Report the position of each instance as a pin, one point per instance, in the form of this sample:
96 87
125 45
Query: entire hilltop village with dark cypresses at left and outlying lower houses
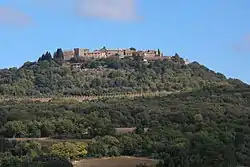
76 57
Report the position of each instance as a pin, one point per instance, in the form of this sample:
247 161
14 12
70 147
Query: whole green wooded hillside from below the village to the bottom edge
205 124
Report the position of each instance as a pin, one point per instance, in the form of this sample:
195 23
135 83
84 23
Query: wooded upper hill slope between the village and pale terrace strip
51 77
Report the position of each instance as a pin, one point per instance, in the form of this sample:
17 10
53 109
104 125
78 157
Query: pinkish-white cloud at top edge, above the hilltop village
107 9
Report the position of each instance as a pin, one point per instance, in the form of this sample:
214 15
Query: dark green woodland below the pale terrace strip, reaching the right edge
207 127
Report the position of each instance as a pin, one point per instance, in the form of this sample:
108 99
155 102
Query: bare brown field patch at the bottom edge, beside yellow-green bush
115 162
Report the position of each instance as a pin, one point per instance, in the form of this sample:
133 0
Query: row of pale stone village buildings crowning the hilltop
104 53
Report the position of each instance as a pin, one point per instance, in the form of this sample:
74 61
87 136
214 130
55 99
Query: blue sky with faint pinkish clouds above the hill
215 33
